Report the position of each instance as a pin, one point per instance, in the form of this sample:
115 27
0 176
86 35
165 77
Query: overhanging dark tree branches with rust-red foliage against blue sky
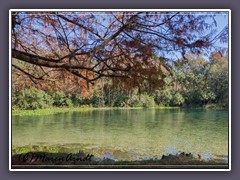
128 47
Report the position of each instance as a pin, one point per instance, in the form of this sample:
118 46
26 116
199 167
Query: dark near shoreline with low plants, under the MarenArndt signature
47 156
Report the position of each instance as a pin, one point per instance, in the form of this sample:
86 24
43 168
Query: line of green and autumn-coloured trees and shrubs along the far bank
202 82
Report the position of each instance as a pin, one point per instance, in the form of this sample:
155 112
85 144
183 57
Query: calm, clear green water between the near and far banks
144 132
